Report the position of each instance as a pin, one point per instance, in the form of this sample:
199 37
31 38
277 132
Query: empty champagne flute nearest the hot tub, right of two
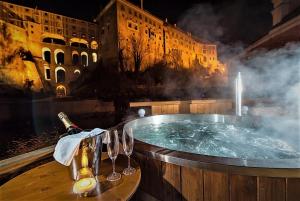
127 140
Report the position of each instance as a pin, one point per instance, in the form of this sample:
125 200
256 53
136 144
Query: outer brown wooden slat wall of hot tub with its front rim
175 175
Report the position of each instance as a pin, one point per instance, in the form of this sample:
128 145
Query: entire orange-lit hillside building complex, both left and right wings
63 47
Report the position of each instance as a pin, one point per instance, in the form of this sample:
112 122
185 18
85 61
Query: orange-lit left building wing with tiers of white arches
61 46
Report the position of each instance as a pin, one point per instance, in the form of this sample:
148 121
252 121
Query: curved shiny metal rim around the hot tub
251 167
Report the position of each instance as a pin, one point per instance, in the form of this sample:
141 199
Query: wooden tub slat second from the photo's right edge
271 189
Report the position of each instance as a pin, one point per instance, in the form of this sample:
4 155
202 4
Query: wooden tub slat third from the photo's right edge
243 188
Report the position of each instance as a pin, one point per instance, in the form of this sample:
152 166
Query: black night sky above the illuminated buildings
227 21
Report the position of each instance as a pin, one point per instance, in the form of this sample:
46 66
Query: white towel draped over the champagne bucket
68 146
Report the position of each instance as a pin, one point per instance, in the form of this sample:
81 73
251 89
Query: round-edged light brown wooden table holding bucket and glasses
51 181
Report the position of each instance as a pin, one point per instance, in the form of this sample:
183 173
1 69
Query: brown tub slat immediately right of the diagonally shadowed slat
192 183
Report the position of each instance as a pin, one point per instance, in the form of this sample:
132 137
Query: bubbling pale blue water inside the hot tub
219 139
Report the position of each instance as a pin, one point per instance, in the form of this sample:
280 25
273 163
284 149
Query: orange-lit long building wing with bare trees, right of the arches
126 29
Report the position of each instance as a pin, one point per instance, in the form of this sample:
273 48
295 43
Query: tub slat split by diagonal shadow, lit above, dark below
171 182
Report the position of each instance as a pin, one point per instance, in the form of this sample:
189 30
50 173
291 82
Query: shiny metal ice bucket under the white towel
93 153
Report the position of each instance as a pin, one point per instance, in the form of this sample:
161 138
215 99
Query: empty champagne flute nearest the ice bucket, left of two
113 151
